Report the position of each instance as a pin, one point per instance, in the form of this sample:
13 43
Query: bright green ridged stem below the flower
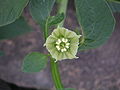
55 74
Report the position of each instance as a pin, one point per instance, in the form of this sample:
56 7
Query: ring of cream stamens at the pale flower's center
62 44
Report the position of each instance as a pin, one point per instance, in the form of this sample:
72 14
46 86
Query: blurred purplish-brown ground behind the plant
96 69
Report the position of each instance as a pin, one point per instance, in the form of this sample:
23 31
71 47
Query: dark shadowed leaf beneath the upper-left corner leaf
19 27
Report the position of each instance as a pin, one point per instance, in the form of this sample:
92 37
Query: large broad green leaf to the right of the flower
96 20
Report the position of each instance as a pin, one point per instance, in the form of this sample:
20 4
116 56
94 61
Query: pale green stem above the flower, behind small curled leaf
62 9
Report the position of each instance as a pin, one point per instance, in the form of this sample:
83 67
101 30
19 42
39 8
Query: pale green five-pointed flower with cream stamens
62 44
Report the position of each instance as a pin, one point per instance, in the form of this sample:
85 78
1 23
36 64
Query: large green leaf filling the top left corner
10 10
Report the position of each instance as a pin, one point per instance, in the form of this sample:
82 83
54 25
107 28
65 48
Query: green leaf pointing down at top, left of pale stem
40 10
